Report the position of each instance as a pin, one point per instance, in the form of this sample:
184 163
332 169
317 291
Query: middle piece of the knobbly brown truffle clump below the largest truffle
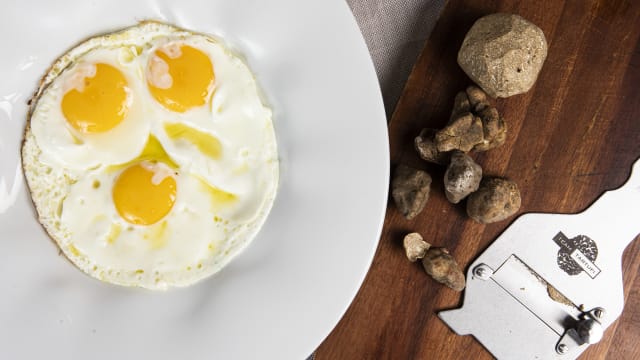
462 133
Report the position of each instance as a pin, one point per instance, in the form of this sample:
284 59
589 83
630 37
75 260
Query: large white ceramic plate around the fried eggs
281 296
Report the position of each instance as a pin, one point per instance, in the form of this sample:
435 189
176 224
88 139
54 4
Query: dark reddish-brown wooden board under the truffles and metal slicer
571 137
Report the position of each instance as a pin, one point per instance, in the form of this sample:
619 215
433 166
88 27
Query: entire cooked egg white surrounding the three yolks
199 235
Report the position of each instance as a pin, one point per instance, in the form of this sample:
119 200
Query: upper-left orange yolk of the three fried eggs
96 103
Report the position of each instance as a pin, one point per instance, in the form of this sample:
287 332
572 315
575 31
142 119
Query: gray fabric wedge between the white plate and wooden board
395 32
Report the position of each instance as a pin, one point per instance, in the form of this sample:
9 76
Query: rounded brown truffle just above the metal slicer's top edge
495 200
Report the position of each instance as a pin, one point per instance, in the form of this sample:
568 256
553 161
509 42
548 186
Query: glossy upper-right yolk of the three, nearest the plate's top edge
180 77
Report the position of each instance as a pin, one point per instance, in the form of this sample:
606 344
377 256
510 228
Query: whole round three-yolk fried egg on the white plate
150 156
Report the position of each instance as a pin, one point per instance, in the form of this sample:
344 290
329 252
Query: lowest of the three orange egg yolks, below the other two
143 196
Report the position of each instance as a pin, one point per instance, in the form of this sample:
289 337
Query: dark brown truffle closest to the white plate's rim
410 190
